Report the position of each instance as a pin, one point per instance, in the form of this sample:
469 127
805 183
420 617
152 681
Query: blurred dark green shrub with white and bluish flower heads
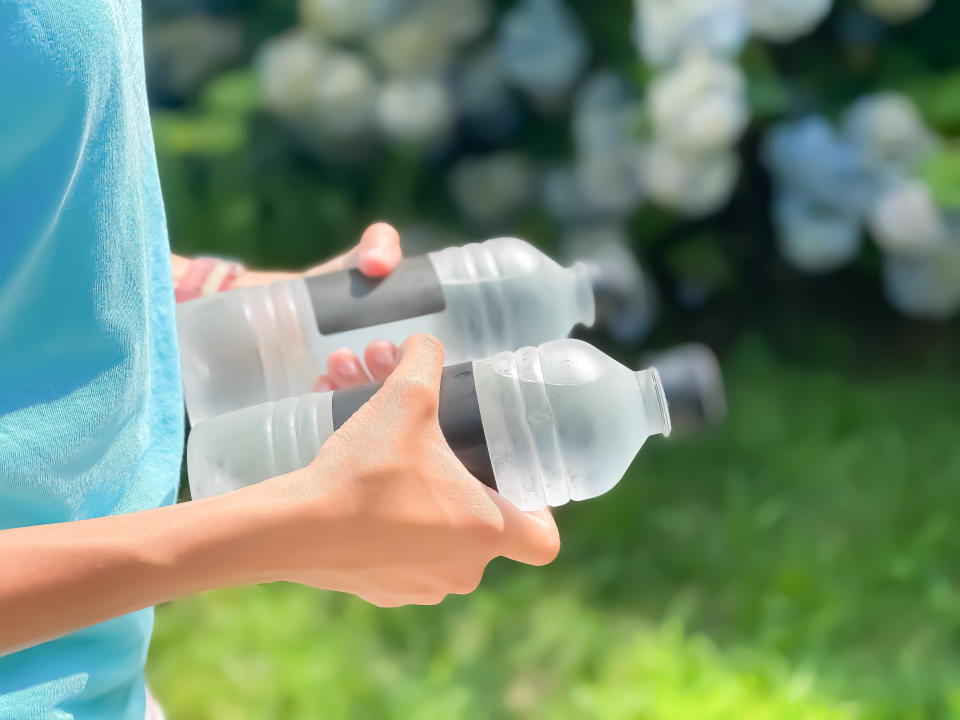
697 142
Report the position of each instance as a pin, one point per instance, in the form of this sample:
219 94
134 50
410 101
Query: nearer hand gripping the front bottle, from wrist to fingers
388 513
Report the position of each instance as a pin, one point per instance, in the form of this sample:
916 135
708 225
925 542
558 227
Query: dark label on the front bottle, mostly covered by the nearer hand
459 414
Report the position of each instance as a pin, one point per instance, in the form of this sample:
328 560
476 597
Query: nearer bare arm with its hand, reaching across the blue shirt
385 511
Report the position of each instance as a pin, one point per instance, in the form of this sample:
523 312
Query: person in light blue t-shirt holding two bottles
91 414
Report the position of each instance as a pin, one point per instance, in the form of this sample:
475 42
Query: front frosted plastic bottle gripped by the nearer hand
542 425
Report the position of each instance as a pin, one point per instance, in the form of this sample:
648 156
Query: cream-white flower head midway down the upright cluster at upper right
700 105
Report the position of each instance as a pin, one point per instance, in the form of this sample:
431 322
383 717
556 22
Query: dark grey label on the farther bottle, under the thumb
348 299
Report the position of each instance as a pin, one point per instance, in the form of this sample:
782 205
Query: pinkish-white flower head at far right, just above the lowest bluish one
905 219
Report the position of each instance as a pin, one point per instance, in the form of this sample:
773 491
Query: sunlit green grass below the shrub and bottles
799 563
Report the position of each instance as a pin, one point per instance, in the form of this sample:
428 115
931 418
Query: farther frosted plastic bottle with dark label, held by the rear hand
250 345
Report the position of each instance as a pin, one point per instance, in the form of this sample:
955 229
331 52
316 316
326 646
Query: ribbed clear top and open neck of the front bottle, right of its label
563 421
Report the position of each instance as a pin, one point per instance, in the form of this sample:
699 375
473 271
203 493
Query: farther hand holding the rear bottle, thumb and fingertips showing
376 255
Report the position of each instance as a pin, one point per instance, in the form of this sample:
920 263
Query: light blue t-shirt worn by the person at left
91 415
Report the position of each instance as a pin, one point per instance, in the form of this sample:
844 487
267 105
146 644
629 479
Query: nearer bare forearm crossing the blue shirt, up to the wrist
61 577
